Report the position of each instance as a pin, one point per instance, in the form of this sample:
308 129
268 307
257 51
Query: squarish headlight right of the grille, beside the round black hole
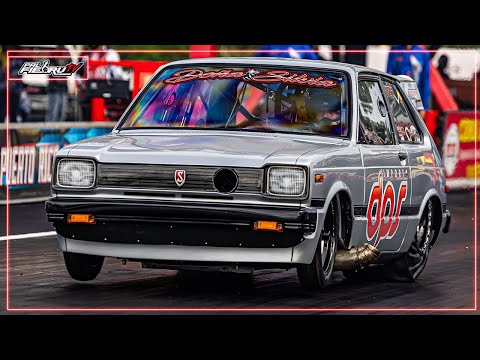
286 181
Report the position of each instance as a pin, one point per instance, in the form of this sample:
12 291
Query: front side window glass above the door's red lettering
374 121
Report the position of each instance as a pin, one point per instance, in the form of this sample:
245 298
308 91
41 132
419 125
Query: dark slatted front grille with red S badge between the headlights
162 177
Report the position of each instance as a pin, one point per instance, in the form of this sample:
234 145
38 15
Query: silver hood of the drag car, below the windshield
208 148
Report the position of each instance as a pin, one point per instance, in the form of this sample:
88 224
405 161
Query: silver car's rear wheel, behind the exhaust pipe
409 267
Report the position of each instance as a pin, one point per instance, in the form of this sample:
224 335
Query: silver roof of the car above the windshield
315 64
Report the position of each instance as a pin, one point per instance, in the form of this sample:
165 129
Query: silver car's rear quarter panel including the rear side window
423 162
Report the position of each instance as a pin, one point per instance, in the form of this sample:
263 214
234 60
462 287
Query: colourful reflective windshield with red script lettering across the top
239 98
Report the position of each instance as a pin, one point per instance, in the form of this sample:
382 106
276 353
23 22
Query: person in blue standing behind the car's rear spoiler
401 61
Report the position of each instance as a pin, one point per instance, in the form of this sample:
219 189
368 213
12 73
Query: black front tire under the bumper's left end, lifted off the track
83 267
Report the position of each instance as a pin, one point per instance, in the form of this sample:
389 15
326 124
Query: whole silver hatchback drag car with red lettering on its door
238 164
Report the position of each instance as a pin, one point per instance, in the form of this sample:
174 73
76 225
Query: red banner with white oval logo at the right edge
459 155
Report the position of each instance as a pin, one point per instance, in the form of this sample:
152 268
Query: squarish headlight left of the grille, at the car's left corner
77 173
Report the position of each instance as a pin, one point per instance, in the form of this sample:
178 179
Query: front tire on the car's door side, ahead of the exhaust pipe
318 273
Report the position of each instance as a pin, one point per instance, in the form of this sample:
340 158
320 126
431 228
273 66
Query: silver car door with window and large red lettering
387 175
